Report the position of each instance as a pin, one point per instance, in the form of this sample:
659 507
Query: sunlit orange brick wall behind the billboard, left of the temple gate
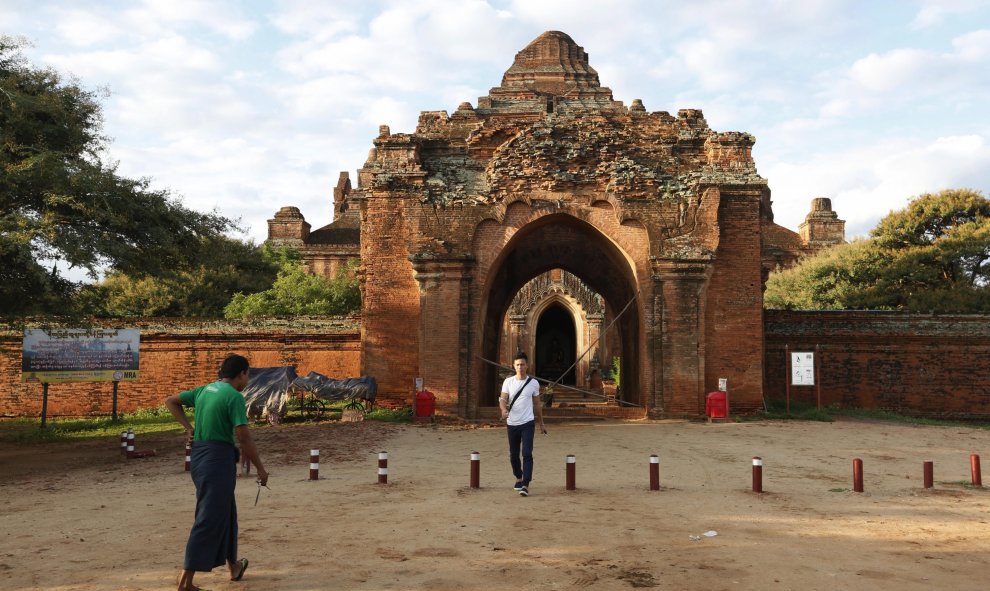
178 355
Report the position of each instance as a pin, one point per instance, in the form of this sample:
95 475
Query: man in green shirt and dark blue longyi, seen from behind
220 416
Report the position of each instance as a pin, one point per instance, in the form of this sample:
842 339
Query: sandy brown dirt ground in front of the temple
77 517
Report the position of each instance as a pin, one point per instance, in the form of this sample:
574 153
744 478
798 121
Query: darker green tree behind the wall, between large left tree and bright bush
221 267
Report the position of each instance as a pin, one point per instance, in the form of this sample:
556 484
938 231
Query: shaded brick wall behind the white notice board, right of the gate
914 364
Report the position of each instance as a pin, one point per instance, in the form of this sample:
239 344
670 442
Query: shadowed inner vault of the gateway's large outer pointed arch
548 240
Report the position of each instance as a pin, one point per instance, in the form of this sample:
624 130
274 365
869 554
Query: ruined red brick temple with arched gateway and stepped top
553 219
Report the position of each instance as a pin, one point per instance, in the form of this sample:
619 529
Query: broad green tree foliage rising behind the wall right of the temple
932 256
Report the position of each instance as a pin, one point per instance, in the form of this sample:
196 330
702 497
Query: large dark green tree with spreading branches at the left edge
62 204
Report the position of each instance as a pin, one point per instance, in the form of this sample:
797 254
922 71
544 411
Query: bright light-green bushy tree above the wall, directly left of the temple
299 293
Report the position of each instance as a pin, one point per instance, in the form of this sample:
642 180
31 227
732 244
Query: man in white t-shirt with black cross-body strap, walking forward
521 408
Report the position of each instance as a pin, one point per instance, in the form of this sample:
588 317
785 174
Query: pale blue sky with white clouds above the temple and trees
249 106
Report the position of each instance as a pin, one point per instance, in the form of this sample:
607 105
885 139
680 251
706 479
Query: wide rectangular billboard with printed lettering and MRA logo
80 355
